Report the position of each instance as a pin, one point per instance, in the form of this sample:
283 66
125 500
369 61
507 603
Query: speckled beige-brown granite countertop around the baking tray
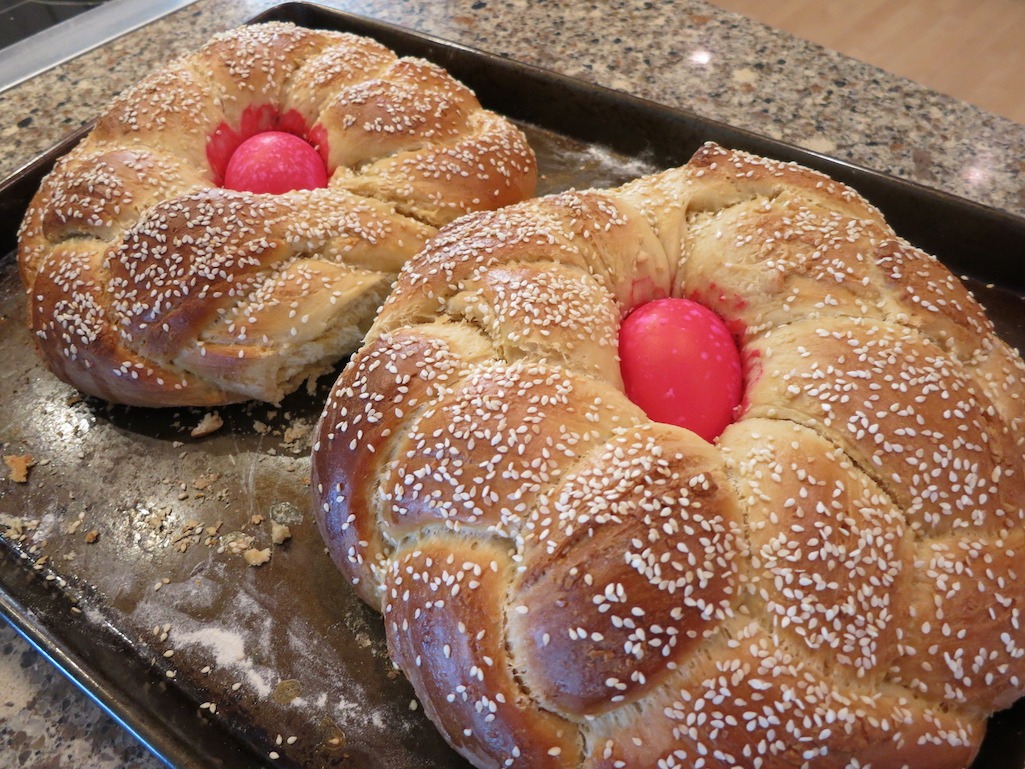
680 53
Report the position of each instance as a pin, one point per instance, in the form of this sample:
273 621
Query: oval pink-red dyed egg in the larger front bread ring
681 366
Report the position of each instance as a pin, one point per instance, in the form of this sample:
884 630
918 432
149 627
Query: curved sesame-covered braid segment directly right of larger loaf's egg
909 416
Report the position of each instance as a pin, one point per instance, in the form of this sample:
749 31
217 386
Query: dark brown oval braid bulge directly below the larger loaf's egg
659 498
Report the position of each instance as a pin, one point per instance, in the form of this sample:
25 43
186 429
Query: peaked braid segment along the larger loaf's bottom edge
751 702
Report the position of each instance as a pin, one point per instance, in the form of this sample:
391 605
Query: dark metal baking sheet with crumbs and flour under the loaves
116 557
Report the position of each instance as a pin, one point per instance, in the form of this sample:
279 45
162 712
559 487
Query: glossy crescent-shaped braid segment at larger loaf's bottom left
434 601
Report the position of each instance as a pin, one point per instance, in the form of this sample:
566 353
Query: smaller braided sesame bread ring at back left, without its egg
150 284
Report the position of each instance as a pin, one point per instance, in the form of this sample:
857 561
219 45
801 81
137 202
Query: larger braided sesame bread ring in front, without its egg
834 582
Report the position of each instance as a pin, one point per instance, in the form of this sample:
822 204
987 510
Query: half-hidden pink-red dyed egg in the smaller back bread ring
275 163
